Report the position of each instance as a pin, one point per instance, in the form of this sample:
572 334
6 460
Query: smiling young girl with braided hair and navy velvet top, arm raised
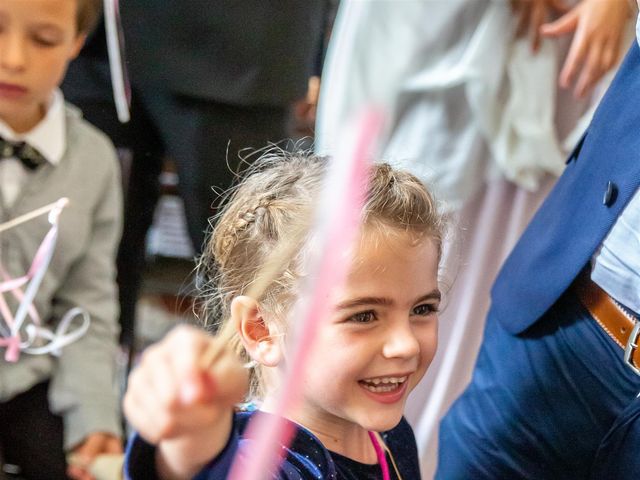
369 354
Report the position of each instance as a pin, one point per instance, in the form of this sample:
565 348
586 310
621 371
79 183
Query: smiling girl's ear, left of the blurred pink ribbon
257 338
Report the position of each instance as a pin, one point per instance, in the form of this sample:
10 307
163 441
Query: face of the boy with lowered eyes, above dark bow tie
38 38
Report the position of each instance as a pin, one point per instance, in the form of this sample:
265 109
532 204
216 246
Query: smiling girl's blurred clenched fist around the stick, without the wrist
169 394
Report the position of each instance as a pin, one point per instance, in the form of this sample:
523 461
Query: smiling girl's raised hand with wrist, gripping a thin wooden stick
184 406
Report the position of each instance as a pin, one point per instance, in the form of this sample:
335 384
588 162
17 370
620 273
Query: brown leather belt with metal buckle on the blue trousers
621 326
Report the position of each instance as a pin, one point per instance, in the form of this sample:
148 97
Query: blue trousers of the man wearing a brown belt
540 405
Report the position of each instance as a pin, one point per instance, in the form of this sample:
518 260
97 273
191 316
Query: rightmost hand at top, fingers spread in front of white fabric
596 46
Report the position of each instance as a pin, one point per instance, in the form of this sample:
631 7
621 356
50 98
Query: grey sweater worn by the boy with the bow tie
81 273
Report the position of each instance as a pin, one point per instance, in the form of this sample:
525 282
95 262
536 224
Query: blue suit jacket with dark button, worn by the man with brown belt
601 176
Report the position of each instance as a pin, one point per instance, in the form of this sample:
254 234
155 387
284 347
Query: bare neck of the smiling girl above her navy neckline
336 434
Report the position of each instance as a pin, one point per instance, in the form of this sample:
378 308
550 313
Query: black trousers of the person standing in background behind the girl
203 138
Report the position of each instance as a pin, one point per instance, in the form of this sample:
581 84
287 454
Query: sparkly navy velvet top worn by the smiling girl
306 457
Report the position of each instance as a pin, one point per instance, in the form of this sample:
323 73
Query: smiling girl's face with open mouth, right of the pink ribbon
378 341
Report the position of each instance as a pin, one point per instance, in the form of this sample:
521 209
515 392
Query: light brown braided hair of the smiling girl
276 196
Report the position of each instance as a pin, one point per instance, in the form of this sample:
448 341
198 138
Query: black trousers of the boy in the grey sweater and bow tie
31 437
